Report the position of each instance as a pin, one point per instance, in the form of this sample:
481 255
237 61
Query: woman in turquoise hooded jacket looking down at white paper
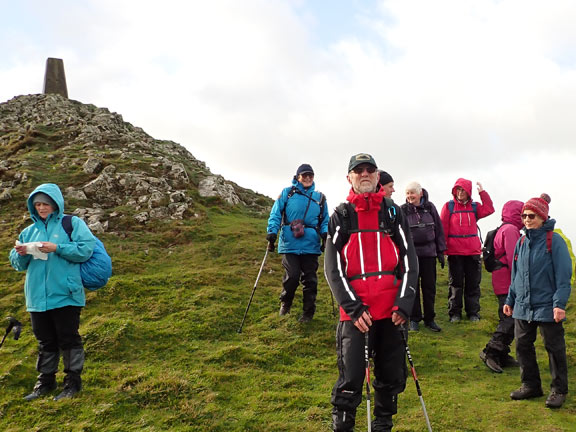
53 288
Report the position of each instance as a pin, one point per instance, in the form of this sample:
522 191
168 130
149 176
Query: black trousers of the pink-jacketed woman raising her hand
465 276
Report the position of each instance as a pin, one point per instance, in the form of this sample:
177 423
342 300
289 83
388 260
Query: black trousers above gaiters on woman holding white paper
57 329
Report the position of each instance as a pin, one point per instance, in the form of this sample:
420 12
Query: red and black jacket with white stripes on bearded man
368 268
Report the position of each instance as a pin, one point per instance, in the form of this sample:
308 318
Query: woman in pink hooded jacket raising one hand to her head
463 247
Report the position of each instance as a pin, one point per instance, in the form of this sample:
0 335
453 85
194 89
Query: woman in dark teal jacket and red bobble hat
539 291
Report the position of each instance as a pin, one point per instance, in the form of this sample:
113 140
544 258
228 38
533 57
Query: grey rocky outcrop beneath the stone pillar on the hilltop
116 169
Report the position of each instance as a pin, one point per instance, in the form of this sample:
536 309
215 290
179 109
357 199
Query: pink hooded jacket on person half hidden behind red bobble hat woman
504 243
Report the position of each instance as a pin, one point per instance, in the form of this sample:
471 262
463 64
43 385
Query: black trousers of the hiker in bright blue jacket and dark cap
300 268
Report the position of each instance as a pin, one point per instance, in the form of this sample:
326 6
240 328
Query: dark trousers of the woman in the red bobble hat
553 336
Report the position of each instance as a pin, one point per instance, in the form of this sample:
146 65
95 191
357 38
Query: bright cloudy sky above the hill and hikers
435 90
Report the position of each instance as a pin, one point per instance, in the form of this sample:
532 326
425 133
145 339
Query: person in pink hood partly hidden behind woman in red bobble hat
497 352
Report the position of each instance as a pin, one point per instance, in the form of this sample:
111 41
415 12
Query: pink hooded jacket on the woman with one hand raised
460 227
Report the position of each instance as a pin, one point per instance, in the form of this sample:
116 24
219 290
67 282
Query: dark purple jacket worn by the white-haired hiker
425 227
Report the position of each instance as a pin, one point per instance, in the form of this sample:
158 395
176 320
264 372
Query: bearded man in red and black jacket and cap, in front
371 267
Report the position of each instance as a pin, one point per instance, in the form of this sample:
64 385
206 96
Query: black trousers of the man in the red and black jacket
387 350
